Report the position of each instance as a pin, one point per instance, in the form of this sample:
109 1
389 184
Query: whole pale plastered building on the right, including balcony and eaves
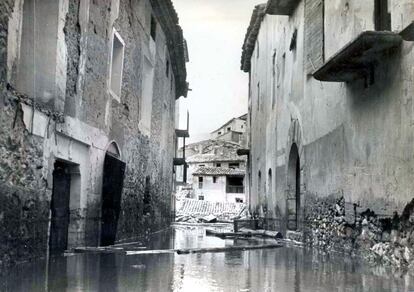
330 109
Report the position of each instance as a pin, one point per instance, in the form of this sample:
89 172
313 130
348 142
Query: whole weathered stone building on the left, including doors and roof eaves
88 109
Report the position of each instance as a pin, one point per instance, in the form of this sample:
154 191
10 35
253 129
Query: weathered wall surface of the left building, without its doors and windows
79 129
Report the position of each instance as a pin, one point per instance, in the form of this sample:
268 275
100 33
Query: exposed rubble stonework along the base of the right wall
388 241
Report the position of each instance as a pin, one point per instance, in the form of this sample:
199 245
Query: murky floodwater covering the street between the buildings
282 269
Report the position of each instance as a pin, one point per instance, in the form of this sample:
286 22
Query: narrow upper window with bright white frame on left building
117 63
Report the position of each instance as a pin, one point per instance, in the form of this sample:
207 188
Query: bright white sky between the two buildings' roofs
214 30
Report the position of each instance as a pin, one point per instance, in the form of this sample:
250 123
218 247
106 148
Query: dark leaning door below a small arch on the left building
113 179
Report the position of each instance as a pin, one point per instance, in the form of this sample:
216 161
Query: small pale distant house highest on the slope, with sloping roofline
233 131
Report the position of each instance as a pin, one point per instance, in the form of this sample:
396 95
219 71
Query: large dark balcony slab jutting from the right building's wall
356 59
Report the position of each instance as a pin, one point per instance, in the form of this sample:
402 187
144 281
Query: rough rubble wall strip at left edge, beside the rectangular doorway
24 208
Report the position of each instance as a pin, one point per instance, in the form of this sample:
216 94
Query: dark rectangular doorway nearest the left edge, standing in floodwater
58 240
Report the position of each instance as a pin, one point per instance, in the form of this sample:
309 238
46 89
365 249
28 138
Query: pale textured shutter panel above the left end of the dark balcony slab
314 35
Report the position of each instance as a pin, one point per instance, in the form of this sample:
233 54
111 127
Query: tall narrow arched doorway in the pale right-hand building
293 183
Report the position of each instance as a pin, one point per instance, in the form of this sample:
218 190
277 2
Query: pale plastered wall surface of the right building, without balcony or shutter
353 139
